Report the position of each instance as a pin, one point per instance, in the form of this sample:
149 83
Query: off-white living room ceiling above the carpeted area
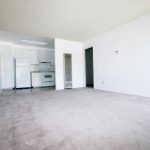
77 20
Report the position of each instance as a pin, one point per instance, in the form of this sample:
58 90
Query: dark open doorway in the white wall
89 67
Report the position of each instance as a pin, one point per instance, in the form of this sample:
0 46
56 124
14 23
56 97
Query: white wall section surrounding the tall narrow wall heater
76 49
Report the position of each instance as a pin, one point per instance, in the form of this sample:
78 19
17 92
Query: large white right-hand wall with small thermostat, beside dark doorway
129 70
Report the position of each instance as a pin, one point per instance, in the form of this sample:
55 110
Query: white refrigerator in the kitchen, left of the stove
23 79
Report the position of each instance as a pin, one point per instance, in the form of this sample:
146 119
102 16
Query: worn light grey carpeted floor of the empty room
79 119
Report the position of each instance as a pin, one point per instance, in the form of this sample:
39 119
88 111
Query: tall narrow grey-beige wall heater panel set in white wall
67 71
